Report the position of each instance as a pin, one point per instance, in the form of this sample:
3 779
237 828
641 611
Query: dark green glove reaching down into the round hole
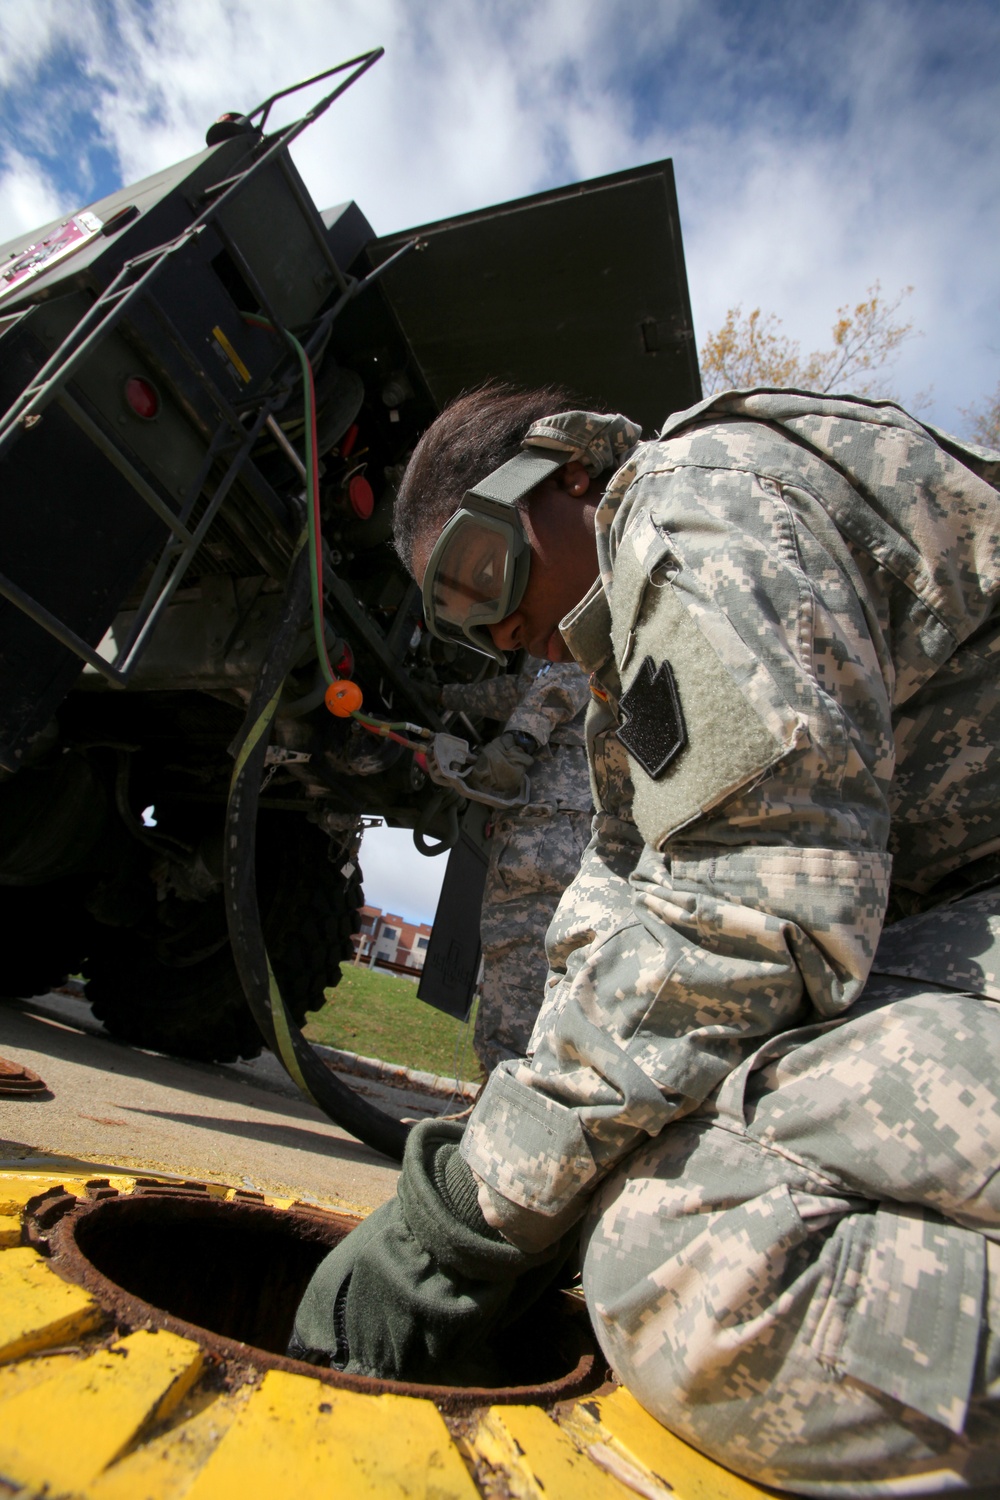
419 1288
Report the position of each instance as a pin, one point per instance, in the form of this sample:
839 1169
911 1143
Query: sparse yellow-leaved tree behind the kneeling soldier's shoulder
753 350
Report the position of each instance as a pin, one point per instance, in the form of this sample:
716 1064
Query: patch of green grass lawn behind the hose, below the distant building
380 1016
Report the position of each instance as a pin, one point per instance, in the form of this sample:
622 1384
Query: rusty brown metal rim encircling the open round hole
59 1231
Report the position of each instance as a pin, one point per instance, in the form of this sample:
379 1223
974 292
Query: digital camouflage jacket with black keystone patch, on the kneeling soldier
794 647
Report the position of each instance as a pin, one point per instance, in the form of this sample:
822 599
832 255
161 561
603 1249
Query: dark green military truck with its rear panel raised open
211 391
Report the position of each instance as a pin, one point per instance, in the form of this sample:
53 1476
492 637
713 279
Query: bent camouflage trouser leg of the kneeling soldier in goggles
804 1279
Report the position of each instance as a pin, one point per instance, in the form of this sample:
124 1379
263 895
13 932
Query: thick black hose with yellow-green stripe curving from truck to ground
283 1036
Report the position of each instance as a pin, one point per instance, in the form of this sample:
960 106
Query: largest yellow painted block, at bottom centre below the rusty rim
299 1439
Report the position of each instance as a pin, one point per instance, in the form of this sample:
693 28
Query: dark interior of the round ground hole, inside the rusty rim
238 1271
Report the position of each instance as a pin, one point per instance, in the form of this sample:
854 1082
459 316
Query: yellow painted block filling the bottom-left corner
64 1432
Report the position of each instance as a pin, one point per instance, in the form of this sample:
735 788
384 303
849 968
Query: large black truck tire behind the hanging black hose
194 1007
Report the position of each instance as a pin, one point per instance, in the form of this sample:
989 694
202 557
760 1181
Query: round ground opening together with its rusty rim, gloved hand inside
229 1273
